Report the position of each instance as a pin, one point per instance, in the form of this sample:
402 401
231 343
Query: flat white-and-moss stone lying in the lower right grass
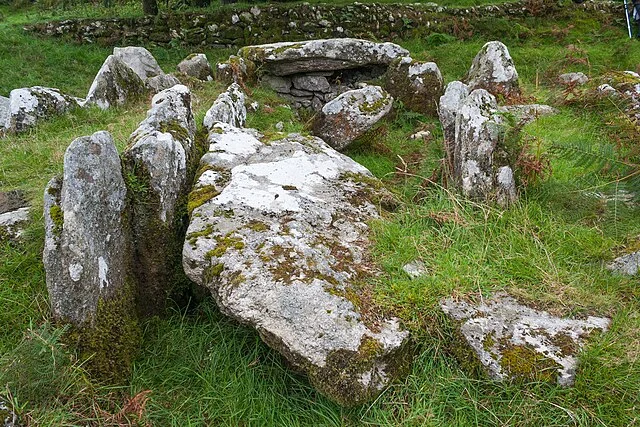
511 340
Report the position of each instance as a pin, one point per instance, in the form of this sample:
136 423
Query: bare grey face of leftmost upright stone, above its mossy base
85 254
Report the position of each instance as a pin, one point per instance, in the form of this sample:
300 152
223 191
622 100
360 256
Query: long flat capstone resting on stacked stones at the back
288 58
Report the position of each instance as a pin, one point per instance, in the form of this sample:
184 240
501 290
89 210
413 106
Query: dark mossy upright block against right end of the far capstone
418 85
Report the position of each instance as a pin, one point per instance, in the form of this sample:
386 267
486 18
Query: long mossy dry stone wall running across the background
274 23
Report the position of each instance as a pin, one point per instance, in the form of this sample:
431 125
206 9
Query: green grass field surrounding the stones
197 367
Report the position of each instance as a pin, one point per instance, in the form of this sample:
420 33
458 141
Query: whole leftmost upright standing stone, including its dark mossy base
86 254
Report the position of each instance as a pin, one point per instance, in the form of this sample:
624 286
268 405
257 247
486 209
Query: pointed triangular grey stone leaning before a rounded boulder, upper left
115 84
